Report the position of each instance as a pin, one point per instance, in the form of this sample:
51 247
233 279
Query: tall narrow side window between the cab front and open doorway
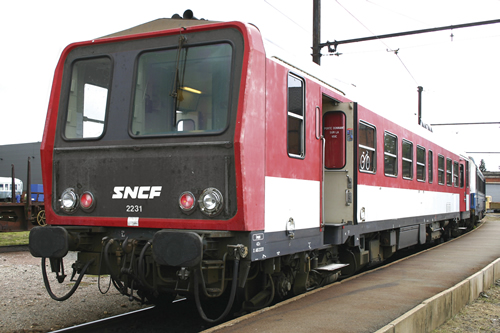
295 121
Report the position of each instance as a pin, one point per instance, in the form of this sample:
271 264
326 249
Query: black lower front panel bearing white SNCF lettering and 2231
146 182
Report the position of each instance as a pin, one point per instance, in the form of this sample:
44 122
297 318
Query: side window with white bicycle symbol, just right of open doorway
367 148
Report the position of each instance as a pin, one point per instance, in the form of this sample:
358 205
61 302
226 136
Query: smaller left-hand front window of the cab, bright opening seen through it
90 82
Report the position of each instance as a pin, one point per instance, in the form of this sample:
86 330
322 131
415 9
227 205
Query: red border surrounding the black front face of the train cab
249 156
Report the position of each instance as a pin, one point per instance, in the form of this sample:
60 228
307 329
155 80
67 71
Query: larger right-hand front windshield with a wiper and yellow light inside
182 91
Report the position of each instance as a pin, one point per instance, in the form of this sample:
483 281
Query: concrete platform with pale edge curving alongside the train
415 294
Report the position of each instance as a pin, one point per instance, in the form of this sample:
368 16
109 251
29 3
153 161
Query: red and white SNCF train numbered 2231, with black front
182 159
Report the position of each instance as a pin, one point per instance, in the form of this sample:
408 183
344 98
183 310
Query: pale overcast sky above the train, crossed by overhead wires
460 73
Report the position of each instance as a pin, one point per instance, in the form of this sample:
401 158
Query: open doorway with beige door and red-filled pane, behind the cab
338 162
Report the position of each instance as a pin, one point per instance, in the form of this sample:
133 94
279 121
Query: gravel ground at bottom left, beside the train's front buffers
27 307
